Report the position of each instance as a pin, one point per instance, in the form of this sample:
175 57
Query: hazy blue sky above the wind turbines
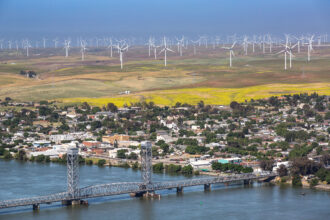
144 17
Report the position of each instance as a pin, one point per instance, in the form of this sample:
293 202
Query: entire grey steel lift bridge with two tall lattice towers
75 195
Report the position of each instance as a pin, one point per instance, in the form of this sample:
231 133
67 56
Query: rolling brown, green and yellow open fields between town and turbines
205 76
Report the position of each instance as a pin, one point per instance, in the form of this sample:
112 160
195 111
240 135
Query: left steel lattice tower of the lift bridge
73 172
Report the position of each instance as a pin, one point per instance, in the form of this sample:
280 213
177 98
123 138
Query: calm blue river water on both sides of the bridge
233 202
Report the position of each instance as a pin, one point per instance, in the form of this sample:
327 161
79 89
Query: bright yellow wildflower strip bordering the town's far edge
212 96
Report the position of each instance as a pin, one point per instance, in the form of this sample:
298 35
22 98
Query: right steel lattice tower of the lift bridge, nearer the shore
146 164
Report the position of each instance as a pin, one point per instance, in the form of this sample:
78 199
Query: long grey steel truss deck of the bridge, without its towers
127 187
